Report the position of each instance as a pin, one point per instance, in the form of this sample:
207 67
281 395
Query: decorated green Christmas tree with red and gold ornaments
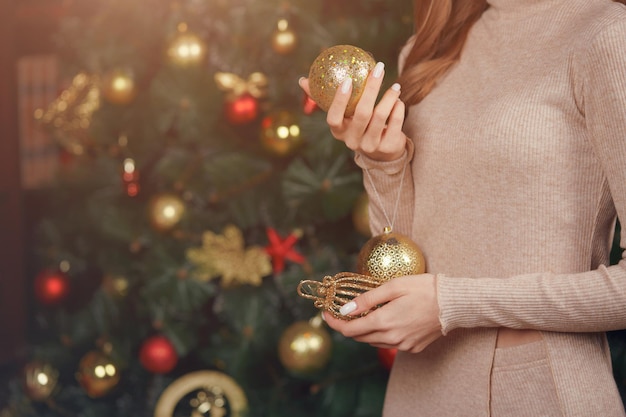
198 187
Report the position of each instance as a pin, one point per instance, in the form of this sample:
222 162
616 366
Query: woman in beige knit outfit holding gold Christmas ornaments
516 173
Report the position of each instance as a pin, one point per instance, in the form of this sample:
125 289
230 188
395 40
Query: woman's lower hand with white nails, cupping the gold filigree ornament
408 320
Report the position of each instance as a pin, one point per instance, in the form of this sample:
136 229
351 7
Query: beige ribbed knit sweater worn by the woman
516 177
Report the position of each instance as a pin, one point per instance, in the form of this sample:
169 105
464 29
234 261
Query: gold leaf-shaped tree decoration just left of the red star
226 256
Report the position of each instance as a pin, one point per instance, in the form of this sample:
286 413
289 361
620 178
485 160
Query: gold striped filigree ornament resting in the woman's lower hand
334 291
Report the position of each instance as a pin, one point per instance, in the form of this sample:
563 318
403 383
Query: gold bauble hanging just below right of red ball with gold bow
280 133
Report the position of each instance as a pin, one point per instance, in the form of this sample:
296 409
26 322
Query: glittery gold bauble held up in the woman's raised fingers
332 67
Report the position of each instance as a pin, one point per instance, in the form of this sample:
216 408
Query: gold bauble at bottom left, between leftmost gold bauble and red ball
97 374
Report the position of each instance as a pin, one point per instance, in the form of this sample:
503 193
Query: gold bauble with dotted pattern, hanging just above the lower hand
390 255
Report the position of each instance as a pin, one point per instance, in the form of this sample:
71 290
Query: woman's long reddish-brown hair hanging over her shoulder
441 28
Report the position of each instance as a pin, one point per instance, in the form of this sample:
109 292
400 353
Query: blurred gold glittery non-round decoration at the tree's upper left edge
69 116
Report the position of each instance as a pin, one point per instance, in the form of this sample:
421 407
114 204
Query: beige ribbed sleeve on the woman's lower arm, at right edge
579 302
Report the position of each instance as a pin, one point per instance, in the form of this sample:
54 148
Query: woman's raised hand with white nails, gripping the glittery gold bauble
375 130
